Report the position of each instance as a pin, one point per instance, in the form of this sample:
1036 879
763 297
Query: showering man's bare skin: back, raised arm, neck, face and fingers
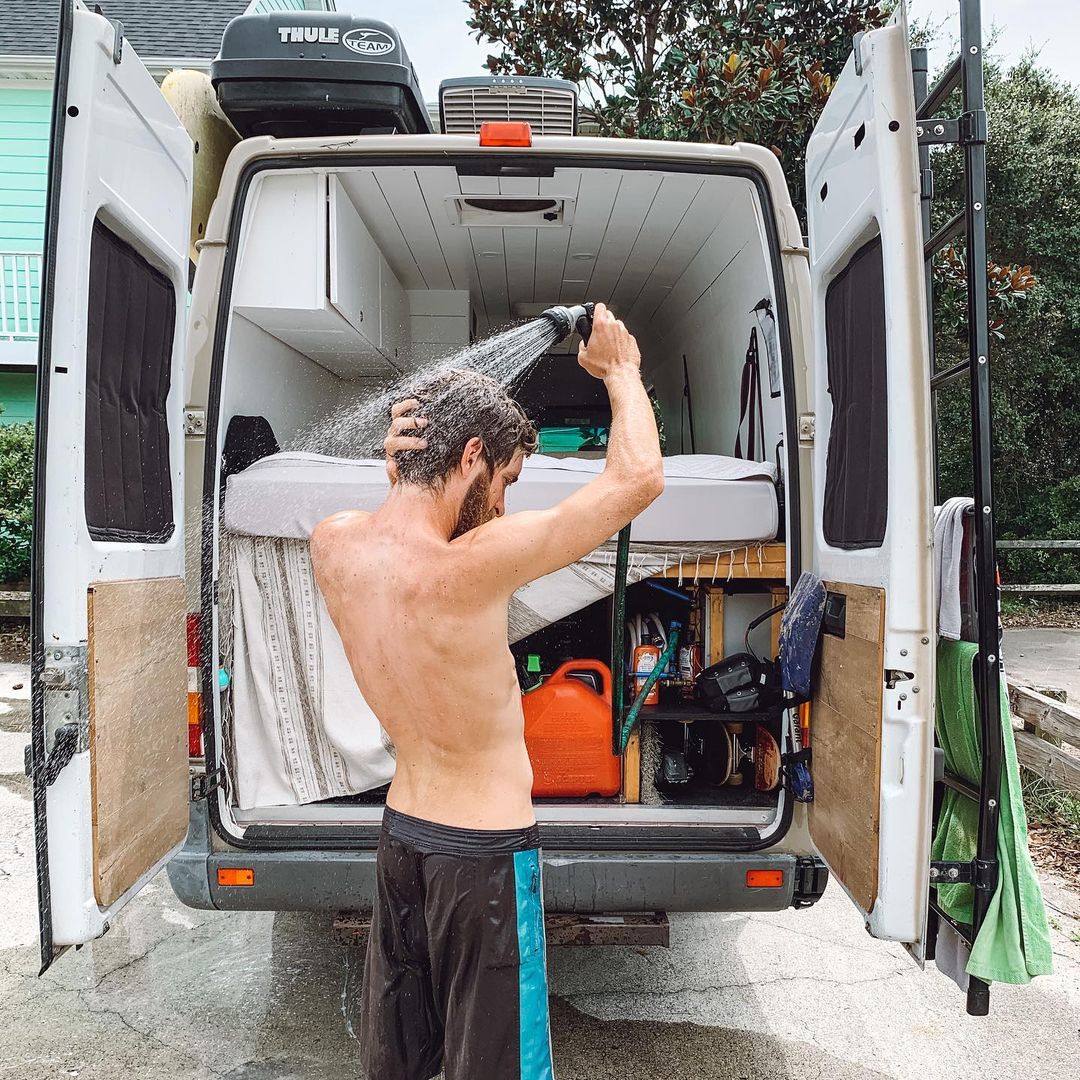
423 612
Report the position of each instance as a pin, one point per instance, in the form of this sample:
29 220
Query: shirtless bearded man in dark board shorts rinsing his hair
420 590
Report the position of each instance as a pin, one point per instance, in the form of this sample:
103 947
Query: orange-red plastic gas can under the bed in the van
569 735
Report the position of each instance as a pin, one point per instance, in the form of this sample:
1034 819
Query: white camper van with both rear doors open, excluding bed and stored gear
327 268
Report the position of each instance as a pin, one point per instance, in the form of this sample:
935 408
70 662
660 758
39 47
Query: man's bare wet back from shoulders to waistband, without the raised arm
426 636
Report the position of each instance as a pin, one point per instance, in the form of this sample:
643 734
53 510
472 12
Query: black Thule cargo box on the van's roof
295 73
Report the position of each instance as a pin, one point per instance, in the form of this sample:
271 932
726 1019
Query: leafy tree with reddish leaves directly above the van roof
699 71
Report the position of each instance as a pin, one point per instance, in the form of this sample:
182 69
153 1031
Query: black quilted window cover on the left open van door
131 320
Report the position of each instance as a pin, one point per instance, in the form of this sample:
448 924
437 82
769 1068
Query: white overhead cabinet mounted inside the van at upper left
322 287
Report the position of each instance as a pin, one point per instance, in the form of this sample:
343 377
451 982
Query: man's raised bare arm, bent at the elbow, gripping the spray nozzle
524 547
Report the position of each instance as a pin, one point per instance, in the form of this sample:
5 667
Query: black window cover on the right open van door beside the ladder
857 471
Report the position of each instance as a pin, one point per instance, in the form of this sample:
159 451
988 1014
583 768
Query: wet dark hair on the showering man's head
460 406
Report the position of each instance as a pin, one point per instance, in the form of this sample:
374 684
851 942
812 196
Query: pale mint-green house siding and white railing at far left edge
24 164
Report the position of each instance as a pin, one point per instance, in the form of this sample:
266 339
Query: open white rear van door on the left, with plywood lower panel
109 752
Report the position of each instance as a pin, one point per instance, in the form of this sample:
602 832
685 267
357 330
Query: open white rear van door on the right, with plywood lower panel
873 712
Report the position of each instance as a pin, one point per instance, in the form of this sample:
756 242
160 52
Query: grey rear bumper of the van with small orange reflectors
584 883
